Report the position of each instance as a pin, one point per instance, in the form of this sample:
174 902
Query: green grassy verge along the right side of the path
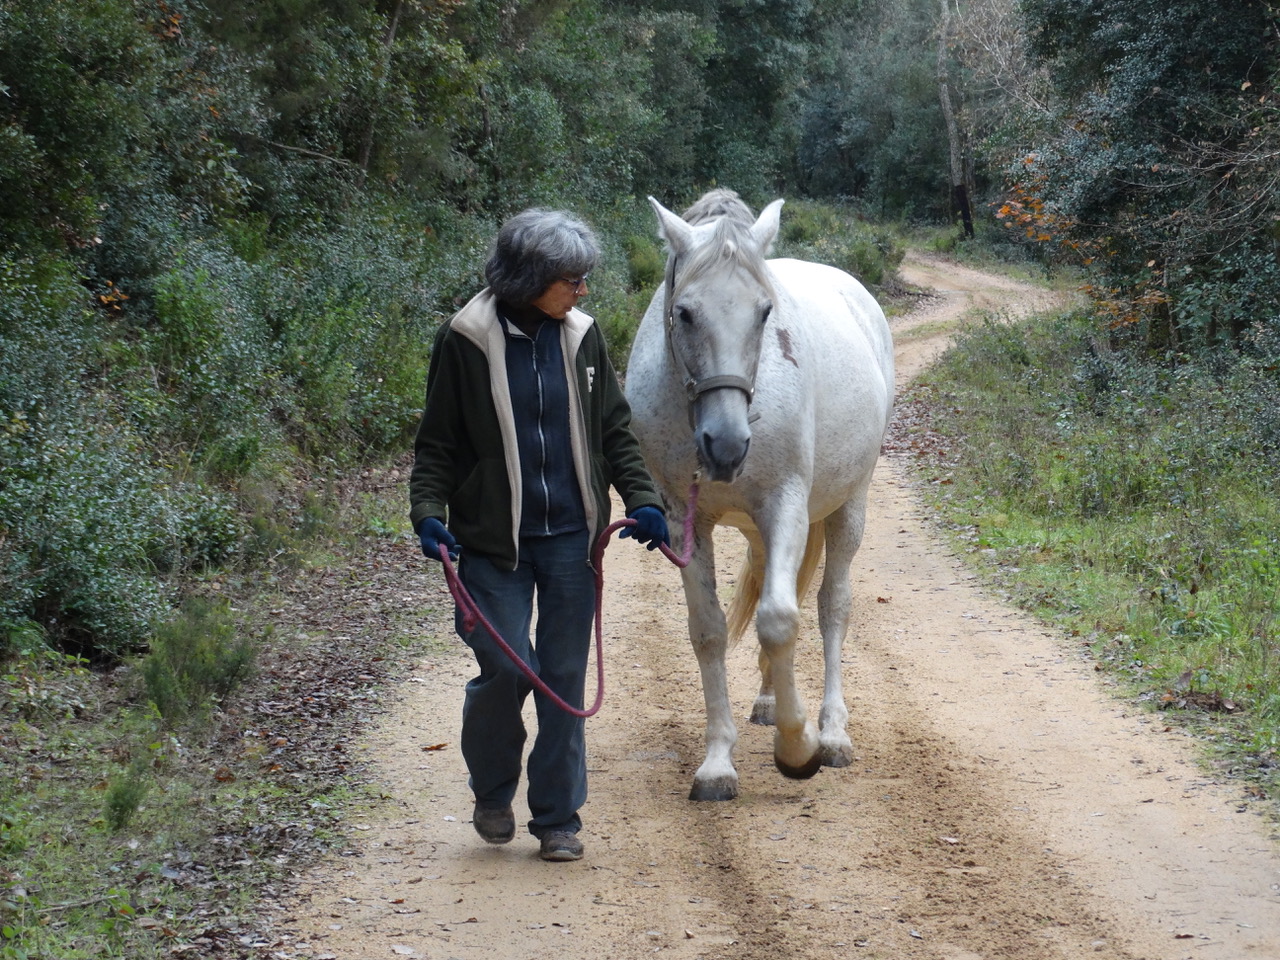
1132 502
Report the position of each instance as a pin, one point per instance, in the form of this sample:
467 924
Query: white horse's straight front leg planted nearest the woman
716 779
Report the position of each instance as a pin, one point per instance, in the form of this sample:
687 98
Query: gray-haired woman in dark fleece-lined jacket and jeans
525 428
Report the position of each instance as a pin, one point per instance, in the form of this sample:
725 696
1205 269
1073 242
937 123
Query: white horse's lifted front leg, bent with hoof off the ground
778 621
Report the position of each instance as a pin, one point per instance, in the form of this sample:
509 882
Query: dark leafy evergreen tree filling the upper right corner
1159 158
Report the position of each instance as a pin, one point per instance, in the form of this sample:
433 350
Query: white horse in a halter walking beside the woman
774 381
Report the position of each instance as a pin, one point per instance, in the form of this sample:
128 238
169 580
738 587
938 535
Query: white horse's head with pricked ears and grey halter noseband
719 298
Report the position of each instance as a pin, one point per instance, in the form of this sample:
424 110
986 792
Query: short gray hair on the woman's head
536 248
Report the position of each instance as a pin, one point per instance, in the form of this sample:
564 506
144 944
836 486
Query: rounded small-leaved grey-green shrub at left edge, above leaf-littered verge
93 525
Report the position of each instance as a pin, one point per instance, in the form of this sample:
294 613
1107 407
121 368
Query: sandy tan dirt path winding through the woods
1002 804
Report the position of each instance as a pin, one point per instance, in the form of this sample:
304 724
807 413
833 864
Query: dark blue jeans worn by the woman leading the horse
556 569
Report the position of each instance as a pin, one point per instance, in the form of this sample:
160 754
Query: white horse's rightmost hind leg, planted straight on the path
844 532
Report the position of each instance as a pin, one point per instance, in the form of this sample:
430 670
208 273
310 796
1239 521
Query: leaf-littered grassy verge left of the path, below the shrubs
162 808
